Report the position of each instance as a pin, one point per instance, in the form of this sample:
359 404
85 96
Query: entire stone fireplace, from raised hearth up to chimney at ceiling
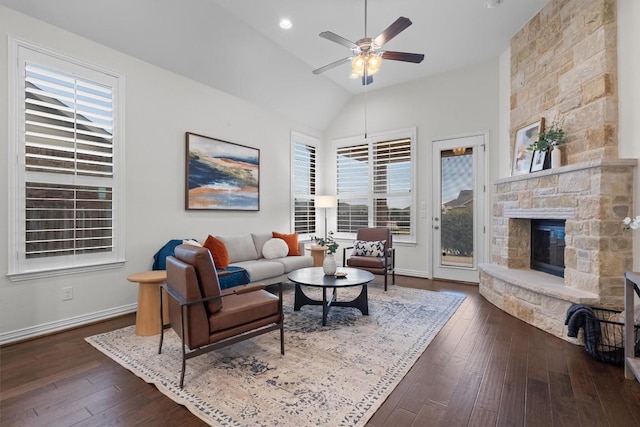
564 68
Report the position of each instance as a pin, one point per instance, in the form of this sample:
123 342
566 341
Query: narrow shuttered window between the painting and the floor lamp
304 183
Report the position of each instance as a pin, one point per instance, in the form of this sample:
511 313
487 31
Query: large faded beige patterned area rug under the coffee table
336 375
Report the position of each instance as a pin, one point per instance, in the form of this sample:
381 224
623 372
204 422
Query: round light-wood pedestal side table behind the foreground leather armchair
148 314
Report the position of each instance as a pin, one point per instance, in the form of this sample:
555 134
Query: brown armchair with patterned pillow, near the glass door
376 263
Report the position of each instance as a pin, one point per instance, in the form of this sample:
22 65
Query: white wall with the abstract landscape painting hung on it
160 108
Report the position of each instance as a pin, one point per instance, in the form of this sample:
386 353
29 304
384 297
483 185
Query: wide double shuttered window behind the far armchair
374 180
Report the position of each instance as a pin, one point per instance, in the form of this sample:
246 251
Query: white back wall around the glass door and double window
458 102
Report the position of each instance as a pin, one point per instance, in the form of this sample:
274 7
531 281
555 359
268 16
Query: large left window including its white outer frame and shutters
66 201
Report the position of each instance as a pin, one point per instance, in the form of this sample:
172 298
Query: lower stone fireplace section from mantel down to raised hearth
593 198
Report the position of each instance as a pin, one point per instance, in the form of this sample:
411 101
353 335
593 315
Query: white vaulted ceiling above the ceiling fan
237 46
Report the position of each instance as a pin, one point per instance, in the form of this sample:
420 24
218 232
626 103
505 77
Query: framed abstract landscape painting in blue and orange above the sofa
221 175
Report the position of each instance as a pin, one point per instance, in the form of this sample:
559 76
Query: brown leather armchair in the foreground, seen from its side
206 318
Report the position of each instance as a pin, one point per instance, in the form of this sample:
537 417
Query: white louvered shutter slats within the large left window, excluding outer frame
69 167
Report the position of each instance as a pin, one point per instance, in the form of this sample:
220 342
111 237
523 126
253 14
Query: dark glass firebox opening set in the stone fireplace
547 246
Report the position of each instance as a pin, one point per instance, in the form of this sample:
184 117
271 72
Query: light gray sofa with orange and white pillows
245 250
